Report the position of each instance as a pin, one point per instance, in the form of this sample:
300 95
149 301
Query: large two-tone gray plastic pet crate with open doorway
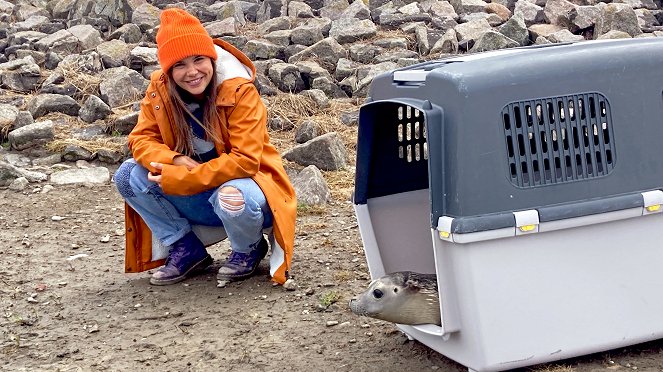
529 180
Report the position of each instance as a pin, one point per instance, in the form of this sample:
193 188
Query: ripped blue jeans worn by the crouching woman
170 217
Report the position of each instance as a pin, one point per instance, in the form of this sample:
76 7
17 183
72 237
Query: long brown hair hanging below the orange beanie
213 126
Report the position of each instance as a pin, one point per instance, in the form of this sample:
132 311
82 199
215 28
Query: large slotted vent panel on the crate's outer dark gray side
558 139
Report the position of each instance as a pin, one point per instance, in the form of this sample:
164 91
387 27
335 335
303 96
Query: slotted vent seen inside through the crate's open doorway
411 134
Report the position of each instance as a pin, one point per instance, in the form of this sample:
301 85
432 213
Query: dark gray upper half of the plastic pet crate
518 129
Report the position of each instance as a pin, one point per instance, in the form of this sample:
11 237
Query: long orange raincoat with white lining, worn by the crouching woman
246 153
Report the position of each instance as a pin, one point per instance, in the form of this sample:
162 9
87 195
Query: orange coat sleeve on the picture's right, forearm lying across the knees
247 134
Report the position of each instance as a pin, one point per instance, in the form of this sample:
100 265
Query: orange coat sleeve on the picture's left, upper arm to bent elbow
146 141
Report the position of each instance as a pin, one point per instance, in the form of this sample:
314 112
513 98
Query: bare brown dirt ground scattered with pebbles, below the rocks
86 314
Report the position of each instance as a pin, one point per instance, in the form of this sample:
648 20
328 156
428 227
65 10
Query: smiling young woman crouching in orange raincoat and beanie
202 156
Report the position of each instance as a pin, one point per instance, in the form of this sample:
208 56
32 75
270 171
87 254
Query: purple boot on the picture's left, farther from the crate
186 257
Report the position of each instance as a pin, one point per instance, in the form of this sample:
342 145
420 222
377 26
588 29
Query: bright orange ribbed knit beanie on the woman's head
181 35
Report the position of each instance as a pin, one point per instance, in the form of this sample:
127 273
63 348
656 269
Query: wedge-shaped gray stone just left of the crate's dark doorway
326 152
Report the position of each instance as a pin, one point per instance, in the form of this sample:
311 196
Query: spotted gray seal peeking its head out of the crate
402 297
